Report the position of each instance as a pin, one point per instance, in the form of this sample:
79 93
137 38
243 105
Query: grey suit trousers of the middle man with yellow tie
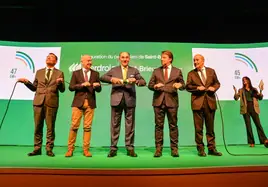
116 116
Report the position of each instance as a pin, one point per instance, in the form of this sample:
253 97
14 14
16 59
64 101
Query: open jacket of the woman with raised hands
243 101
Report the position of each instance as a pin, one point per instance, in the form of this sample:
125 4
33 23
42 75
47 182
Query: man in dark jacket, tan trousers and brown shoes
85 82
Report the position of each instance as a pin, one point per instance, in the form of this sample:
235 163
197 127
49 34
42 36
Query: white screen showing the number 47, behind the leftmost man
22 62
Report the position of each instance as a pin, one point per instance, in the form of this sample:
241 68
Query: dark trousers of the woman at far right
251 113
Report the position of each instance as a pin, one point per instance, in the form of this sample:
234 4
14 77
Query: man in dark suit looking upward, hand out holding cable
47 84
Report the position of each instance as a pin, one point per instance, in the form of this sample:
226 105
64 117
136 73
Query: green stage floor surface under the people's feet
16 157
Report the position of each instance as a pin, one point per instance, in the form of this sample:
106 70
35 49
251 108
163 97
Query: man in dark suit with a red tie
165 82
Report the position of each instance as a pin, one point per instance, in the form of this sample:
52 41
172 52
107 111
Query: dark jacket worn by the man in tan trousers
81 92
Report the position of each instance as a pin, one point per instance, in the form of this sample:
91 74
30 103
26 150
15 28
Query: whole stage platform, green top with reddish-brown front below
17 169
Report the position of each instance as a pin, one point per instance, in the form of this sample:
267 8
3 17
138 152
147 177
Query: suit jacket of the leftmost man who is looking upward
46 94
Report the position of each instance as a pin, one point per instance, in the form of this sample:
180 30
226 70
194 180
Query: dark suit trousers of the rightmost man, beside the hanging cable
205 114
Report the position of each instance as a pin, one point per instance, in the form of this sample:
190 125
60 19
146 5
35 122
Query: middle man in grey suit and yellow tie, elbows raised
123 97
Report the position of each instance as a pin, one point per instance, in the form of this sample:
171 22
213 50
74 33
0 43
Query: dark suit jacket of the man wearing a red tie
166 92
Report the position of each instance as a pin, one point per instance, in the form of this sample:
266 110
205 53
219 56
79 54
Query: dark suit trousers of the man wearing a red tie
171 113
